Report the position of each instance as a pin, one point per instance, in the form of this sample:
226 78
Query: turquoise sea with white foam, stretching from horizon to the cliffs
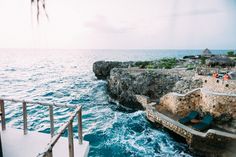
66 76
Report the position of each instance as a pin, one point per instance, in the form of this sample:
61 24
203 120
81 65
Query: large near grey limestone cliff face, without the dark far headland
125 84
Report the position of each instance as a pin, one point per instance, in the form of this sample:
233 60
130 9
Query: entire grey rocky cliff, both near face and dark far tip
125 83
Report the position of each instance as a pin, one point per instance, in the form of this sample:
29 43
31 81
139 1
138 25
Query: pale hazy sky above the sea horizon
119 24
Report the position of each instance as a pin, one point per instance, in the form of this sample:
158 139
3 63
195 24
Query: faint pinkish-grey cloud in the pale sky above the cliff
102 24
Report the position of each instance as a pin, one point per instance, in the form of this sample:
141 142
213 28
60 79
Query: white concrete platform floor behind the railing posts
16 144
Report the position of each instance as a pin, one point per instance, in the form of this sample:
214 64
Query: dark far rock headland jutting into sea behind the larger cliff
102 68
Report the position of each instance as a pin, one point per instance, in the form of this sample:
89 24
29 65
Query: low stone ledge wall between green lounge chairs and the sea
214 142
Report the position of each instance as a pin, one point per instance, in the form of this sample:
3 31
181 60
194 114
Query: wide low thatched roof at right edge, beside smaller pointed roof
220 60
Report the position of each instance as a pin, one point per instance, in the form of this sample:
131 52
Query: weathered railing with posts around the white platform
54 137
